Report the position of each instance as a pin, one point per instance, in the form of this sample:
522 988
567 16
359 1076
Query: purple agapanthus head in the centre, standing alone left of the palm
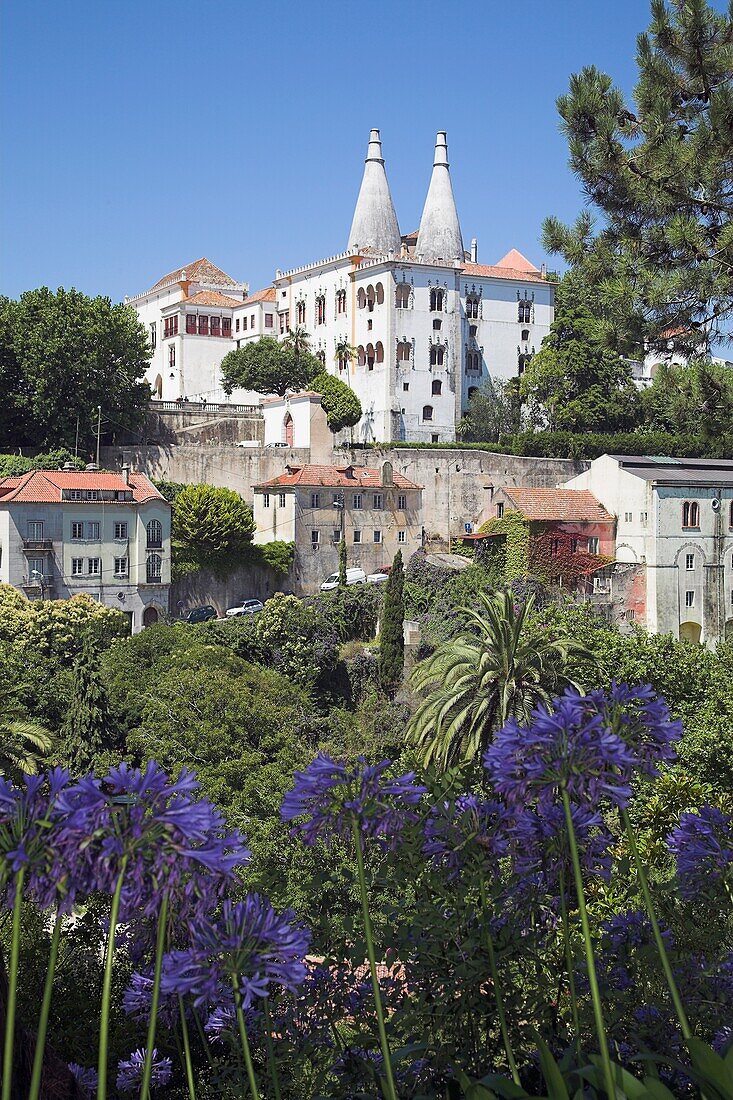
332 798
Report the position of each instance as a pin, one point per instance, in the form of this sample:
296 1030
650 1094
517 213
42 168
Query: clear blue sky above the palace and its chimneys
139 137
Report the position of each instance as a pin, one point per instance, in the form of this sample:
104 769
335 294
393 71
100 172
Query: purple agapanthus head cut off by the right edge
703 845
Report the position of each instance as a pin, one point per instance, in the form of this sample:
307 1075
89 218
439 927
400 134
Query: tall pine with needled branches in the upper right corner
660 174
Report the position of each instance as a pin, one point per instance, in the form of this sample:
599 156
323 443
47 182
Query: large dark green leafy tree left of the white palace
62 355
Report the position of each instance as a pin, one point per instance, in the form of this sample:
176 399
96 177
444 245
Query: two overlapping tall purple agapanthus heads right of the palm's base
589 746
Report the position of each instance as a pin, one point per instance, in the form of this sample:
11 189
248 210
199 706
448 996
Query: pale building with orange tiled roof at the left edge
65 532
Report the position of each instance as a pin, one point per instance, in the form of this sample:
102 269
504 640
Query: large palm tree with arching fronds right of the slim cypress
501 666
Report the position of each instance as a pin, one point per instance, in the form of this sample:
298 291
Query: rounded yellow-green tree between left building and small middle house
212 527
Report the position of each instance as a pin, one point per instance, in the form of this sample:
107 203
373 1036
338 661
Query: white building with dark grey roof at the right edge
675 522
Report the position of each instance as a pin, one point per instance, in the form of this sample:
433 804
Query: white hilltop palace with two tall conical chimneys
425 322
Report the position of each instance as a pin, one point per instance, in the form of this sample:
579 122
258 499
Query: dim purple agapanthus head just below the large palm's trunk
469 831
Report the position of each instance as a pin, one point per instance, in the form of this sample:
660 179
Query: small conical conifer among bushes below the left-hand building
86 729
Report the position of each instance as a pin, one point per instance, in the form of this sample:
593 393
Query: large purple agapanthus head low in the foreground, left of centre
249 943
